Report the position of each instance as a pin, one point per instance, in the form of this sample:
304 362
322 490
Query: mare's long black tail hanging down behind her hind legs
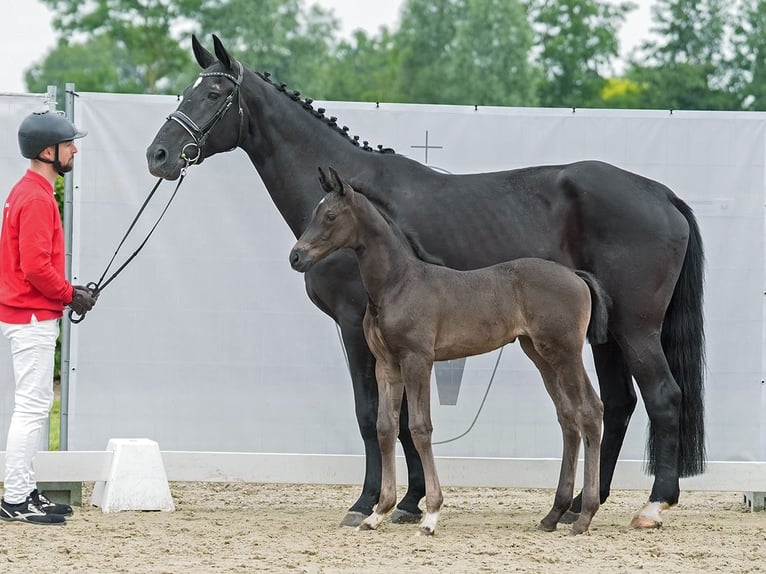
683 341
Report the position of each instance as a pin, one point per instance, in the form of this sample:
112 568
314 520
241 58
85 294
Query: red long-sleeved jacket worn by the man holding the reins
32 276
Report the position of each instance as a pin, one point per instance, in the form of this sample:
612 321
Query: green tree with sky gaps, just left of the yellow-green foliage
578 48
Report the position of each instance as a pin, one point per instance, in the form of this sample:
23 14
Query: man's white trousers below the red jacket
33 348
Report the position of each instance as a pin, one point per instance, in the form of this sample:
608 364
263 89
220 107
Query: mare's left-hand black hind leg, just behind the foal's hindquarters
619 399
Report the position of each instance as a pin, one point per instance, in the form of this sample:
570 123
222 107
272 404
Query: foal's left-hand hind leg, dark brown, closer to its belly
570 432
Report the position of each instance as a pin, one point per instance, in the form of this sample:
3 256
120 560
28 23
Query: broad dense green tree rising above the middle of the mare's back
464 52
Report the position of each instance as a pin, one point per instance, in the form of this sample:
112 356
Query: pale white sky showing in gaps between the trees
26 34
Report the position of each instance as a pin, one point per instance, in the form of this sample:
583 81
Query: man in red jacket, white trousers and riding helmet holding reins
34 291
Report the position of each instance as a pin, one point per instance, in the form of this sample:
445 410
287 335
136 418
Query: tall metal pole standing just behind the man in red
66 326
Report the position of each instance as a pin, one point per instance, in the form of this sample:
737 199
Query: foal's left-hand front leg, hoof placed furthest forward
390 389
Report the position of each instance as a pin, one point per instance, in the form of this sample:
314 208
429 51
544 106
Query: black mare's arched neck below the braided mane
286 143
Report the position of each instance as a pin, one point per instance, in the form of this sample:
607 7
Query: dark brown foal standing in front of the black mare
419 313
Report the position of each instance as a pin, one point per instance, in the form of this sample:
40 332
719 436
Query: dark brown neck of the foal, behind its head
384 257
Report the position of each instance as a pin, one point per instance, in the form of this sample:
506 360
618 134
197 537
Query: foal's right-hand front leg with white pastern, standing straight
416 371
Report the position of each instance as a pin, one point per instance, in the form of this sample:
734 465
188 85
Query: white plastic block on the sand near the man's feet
137 479
